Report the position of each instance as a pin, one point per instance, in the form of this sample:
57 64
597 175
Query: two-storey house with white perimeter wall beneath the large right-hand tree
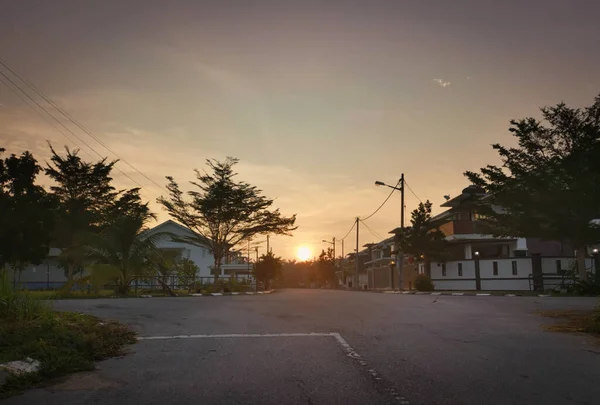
479 261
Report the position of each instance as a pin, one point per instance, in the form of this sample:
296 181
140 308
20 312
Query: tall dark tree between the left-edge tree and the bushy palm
86 195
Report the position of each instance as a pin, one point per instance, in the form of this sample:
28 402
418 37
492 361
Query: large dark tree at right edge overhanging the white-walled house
549 184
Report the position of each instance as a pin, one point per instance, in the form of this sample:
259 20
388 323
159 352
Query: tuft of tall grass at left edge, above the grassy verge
19 306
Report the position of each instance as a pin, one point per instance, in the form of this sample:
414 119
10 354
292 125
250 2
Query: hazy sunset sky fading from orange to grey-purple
318 99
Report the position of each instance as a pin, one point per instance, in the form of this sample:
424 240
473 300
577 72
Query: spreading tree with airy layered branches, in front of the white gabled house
223 212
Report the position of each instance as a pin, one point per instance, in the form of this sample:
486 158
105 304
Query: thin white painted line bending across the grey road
349 350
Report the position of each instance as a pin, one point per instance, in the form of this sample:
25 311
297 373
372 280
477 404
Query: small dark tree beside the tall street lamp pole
422 239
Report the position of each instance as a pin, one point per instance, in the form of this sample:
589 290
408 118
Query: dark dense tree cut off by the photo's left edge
26 213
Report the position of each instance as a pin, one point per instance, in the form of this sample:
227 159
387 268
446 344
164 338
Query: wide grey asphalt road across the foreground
366 348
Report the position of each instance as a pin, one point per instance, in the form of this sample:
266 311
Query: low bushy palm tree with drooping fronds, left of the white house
121 251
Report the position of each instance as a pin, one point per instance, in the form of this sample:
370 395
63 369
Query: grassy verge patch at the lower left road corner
63 342
